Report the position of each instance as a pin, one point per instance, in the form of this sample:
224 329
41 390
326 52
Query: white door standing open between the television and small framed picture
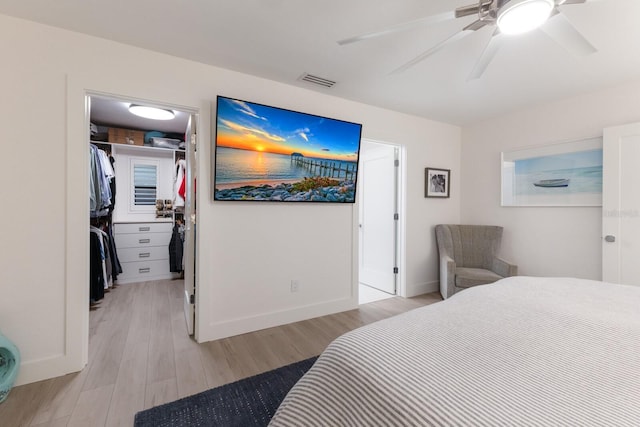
378 216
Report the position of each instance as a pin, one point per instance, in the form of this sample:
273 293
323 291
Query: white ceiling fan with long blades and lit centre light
508 17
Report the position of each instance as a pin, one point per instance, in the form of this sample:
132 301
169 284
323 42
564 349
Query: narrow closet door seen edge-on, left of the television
190 226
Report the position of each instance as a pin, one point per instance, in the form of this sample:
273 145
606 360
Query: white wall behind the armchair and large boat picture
543 241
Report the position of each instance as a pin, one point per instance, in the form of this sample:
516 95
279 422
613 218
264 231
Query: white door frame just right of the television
401 225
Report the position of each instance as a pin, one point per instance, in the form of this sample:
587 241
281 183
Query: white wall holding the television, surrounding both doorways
247 253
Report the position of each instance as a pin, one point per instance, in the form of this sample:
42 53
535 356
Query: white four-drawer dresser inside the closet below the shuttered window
143 250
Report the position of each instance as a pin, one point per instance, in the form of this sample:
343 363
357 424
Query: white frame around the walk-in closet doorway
76 340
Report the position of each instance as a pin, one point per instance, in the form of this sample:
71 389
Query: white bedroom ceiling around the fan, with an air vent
282 39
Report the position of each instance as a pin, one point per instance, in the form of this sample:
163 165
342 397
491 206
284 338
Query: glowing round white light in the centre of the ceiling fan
521 16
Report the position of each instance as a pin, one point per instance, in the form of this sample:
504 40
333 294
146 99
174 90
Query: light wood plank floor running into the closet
141 356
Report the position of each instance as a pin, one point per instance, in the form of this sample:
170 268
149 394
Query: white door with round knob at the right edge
621 205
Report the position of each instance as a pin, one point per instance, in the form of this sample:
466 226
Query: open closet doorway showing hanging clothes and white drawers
143 216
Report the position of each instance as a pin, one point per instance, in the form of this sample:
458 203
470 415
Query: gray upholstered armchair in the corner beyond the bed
467 255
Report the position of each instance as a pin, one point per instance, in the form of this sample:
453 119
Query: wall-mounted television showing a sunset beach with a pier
265 153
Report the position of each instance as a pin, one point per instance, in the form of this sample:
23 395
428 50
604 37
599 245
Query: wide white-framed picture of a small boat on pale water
564 174
